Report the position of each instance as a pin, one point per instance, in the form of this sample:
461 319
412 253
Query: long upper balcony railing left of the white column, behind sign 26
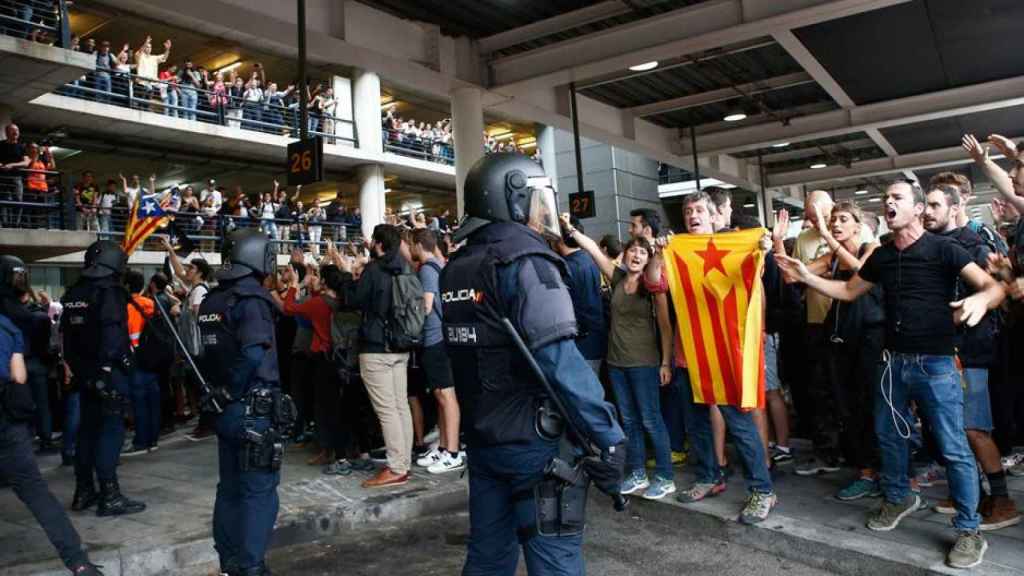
169 98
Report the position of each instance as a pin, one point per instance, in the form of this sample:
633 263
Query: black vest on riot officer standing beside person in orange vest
81 327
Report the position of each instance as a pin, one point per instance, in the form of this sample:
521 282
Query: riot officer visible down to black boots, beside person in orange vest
98 360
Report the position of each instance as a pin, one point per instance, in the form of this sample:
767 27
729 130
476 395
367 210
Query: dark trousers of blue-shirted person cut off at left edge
18 467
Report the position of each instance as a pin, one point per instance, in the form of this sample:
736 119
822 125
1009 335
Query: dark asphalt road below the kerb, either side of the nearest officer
616 546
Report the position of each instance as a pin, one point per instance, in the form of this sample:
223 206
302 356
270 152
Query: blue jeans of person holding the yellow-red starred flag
745 435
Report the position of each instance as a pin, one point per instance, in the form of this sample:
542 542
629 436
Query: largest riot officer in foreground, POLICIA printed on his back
508 271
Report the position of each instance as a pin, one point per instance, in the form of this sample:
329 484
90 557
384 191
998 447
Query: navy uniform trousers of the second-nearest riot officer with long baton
247 502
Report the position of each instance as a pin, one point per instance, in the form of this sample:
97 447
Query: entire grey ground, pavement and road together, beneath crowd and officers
809 527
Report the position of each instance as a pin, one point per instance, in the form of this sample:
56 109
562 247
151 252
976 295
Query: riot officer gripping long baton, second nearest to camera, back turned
240 357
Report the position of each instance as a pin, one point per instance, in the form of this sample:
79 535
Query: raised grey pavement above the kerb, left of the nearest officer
179 484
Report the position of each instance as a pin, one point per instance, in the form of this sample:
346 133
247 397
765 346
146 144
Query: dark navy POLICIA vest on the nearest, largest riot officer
498 392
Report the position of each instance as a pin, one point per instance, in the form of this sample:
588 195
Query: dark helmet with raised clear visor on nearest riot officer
511 188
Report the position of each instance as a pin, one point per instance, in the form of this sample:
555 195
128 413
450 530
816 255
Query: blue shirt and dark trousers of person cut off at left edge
18 465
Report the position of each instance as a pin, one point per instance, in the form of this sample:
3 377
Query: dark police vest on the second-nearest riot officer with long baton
221 346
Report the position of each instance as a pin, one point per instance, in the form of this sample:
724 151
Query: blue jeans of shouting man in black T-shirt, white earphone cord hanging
934 383
